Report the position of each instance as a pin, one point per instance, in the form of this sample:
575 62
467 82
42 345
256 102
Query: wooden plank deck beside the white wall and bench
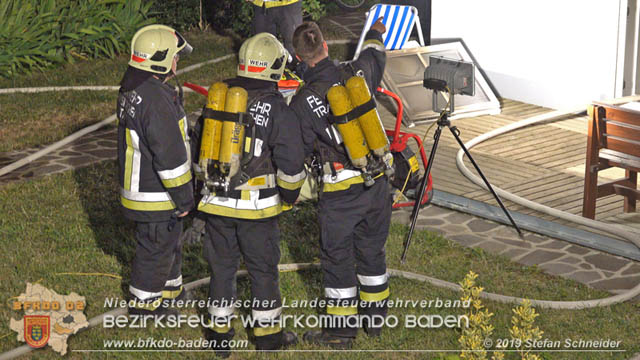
542 163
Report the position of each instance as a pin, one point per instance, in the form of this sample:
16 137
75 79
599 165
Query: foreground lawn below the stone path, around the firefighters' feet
70 222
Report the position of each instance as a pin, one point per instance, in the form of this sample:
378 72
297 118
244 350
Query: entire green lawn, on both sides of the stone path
71 222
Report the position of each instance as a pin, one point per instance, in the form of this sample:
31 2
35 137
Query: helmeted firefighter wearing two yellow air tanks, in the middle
245 222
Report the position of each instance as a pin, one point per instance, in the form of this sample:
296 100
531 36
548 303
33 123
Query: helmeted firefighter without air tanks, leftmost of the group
154 165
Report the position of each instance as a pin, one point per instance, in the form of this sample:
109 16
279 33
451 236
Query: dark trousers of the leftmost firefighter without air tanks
156 272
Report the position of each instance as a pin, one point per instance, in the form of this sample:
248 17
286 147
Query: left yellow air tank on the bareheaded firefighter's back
350 131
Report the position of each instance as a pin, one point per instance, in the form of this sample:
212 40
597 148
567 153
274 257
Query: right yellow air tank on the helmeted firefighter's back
232 139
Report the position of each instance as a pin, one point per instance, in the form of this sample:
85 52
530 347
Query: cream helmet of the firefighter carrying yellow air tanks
262 57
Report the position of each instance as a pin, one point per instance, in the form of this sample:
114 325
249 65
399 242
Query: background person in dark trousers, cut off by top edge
285 15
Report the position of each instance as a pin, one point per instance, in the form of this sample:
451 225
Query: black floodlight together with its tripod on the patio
454 77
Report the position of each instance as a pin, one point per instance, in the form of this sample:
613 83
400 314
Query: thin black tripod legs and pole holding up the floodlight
443 121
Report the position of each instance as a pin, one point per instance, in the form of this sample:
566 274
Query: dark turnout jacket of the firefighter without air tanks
153 153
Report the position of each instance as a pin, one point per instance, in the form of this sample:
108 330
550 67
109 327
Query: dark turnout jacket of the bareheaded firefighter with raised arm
310 104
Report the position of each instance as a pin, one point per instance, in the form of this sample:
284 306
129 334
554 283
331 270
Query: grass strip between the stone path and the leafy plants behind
29 120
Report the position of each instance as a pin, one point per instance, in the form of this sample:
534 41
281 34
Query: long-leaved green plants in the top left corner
36 34
